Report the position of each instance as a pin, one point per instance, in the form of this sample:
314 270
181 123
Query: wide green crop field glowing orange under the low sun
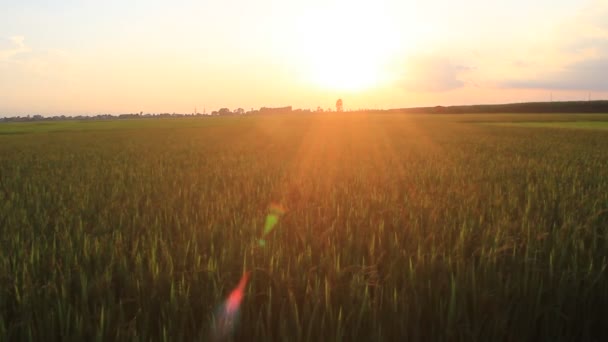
395 227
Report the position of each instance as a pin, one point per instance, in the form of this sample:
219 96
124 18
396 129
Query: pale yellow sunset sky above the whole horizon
126 56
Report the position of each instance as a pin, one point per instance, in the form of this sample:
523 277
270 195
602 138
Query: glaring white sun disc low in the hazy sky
346 47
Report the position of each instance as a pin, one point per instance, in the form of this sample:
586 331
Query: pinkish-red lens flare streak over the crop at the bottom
228 313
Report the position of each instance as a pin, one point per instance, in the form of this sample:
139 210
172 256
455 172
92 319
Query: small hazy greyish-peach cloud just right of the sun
432 74
